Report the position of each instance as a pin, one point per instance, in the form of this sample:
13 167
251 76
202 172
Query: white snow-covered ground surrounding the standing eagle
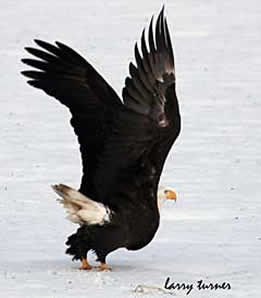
213 233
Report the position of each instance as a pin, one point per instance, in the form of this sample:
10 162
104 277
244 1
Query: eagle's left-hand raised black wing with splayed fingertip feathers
65 75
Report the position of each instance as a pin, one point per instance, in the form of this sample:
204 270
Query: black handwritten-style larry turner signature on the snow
200 285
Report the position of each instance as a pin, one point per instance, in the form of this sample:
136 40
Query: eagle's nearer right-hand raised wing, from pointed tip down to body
145 131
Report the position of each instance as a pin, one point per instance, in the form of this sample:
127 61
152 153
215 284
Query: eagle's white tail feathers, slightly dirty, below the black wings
81 209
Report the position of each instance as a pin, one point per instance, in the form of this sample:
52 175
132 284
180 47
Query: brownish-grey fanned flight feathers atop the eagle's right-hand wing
153 75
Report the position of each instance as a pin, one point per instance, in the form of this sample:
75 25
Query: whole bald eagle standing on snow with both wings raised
123 143
